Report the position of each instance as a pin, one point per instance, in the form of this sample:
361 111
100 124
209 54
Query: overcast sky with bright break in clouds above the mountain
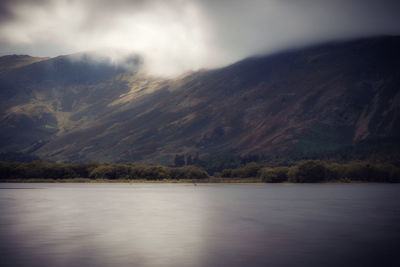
175 36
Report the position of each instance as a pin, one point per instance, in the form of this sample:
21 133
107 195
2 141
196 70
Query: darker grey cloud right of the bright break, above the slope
263 26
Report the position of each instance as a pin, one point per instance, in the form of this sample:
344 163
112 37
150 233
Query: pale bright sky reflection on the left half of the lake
109 226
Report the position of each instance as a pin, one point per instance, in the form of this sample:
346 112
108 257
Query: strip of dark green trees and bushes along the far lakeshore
308 171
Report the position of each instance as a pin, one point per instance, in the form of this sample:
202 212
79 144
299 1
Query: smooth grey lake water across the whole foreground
203 225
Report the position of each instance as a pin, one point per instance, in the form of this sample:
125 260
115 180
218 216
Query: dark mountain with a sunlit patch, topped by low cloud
306 102
